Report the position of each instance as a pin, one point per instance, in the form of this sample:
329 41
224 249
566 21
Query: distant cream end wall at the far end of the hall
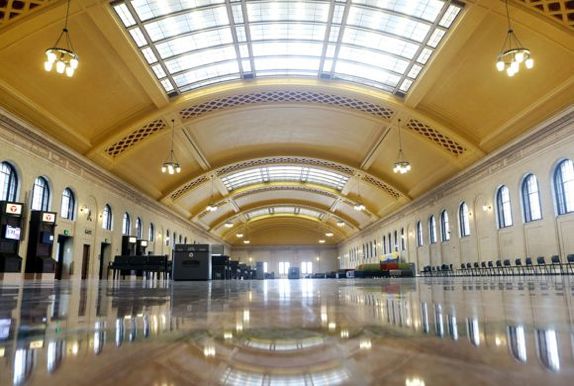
295 255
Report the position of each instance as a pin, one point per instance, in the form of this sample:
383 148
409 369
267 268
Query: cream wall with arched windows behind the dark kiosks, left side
64 168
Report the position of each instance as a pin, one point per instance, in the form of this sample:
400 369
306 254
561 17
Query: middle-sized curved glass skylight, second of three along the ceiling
284 174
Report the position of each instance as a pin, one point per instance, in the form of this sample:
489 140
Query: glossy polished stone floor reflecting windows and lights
412 332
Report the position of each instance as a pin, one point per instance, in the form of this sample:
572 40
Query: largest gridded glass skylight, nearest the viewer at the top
194 43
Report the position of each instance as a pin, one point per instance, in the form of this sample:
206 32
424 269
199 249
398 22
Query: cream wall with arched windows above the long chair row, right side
537 152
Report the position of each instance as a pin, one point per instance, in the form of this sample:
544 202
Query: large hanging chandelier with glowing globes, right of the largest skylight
513 54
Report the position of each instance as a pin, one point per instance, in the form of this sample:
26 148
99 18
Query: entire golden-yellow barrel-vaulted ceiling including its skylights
285 142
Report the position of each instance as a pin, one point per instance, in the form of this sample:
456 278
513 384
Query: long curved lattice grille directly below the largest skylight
266 97
